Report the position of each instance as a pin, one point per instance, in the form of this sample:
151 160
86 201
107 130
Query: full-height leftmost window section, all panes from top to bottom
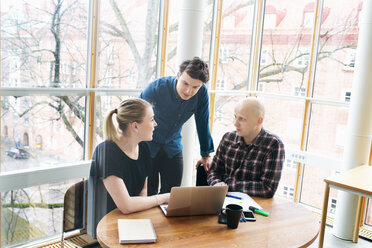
40 52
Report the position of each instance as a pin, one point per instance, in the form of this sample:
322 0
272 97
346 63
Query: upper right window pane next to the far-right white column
337 47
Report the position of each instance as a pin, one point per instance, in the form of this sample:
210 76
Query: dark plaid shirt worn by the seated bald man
254 169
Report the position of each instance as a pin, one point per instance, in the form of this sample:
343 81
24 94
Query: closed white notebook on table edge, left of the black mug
133 231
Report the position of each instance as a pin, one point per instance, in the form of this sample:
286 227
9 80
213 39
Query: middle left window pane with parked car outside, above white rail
41 131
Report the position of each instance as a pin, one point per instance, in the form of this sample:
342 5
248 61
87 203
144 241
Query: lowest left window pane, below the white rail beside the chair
33 213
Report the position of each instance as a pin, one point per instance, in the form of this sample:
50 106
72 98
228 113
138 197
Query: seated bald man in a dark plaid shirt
250 159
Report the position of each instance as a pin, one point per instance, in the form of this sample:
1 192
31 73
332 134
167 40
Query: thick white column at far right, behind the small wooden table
358 140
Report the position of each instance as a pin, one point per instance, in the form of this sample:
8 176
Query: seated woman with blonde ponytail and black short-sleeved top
122 162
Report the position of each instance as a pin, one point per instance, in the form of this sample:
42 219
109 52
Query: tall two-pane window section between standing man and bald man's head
233 62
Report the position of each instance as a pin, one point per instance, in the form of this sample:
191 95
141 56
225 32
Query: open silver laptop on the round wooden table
199 200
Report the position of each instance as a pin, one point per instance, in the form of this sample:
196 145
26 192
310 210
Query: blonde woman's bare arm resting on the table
128 204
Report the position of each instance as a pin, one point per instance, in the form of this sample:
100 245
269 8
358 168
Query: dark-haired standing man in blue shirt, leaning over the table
175 99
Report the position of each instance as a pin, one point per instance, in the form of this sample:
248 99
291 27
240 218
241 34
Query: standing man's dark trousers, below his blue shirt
170 170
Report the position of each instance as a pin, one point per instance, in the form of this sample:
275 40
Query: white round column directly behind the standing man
189 45
